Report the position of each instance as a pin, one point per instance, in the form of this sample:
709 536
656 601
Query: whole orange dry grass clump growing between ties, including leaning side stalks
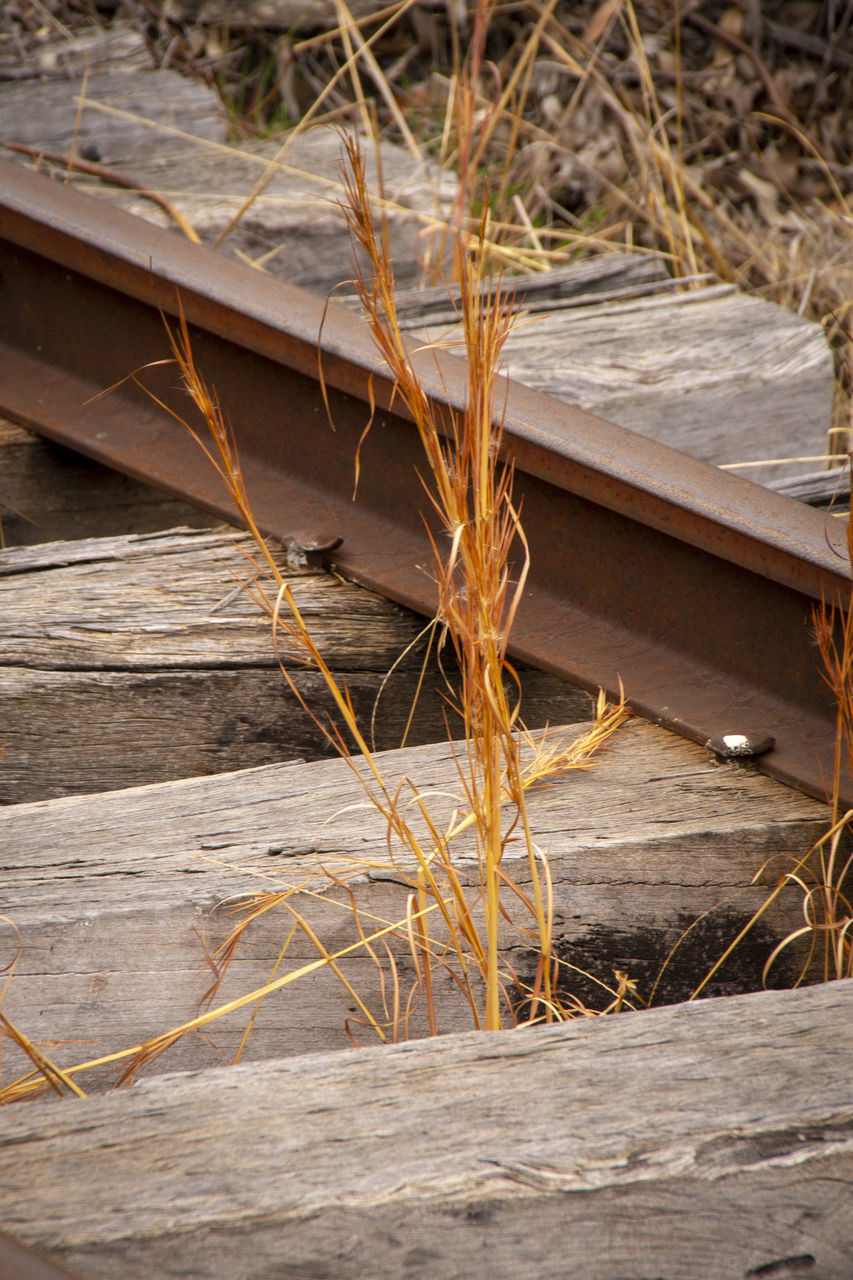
459 911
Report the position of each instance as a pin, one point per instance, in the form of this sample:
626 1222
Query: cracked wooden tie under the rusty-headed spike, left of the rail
142 660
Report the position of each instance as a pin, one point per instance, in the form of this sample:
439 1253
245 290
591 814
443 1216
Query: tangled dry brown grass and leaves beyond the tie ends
717 135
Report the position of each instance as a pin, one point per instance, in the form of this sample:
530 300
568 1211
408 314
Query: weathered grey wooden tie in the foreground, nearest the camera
711 1140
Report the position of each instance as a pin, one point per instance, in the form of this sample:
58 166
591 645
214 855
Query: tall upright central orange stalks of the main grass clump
471 490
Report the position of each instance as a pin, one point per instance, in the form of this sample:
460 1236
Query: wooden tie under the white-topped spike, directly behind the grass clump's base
113 894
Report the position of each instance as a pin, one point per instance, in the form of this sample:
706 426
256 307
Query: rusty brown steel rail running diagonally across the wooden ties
694 587
